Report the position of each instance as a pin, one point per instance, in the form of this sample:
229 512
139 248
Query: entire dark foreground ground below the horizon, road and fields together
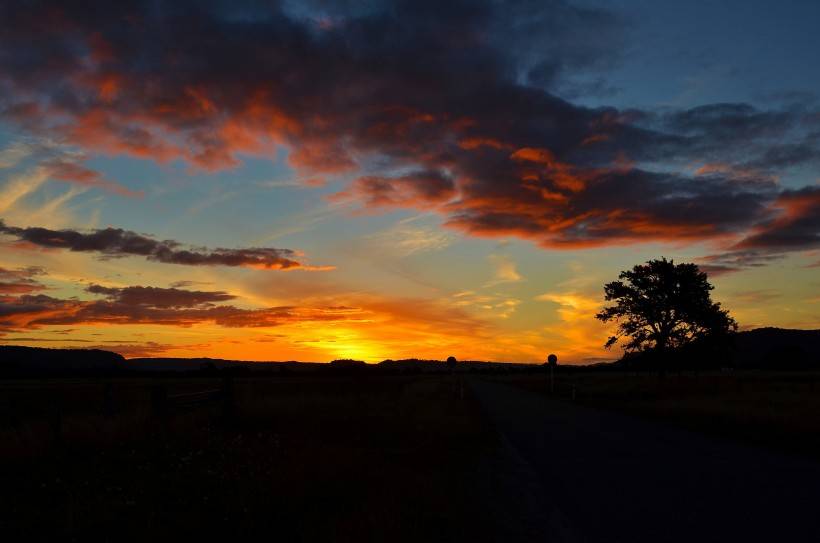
413 458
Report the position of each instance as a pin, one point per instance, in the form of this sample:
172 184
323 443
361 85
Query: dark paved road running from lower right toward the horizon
606 477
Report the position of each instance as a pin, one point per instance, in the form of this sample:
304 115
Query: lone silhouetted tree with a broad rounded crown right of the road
661 305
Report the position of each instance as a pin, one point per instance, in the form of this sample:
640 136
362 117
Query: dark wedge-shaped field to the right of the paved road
775 410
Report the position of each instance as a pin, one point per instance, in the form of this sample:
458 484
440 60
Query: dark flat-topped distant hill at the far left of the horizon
24 361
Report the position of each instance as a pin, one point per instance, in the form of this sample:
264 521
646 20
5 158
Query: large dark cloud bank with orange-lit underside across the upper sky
456 108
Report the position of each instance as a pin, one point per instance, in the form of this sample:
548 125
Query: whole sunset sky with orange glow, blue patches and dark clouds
316 180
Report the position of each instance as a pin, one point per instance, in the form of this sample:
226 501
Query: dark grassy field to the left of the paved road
383 458
